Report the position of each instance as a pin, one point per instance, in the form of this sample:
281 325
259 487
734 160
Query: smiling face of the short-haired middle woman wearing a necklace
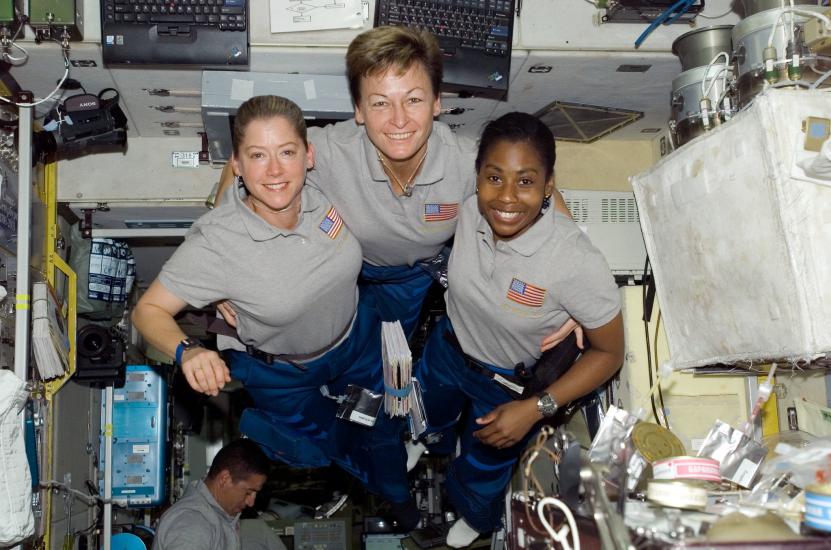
398 111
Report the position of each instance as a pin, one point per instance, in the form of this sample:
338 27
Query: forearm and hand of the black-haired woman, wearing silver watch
507 424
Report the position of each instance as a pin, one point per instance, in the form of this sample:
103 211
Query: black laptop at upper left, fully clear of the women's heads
180 32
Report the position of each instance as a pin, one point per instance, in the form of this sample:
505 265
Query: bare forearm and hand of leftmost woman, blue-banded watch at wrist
153 316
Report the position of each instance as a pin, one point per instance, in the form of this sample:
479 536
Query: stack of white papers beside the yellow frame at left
50 339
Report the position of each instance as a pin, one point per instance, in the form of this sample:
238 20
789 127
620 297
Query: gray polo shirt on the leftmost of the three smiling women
294 291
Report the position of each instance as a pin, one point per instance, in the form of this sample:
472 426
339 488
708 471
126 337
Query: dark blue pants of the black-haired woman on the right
477 478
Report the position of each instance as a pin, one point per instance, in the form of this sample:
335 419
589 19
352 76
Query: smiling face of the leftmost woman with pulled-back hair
272 160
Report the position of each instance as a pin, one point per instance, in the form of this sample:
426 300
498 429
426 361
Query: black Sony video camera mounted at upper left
82 122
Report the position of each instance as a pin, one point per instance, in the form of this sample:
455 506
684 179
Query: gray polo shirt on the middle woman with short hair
394 230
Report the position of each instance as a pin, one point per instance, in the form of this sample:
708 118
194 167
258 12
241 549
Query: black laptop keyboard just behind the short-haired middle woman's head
483 25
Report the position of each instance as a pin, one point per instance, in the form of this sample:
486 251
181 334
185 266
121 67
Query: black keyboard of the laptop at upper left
227 15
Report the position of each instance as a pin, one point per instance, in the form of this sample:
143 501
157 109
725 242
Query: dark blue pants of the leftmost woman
294 422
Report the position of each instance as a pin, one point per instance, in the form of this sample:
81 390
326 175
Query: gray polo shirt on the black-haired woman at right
503 298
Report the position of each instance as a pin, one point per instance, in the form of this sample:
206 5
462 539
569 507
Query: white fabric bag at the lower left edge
15 480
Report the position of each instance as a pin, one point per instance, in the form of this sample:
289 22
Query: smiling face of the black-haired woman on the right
511 185
